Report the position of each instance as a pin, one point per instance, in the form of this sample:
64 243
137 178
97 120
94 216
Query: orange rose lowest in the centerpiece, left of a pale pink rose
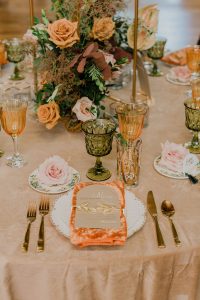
48 114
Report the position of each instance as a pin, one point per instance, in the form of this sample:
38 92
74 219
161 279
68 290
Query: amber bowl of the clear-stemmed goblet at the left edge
14 121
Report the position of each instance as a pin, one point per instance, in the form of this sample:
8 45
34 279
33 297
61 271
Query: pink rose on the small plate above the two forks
54 171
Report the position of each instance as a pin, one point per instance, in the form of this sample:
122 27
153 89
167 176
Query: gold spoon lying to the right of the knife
168 210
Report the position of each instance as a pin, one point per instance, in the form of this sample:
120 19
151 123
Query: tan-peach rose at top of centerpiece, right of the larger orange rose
103 29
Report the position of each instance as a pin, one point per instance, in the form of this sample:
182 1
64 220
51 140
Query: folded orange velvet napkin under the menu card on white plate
83 237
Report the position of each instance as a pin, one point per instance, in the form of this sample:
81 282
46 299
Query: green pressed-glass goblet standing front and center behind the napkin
98 138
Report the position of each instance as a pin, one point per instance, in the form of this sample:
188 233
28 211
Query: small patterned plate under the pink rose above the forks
35 183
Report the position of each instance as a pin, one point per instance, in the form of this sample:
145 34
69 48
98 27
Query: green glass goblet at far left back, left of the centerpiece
16 53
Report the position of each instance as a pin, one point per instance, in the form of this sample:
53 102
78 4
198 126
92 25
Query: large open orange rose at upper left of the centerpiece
63 33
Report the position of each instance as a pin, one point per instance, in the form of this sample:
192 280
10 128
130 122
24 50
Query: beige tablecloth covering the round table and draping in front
139 270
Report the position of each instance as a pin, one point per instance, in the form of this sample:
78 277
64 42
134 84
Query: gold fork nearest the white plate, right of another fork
43 210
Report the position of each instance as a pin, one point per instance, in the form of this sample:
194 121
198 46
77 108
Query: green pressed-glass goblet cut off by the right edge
192 122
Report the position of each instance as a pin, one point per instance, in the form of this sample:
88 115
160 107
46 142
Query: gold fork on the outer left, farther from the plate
31 216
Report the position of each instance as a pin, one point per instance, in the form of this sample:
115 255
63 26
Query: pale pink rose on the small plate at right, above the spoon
173 156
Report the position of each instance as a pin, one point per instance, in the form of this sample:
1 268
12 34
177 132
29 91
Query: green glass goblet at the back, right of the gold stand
156 52
